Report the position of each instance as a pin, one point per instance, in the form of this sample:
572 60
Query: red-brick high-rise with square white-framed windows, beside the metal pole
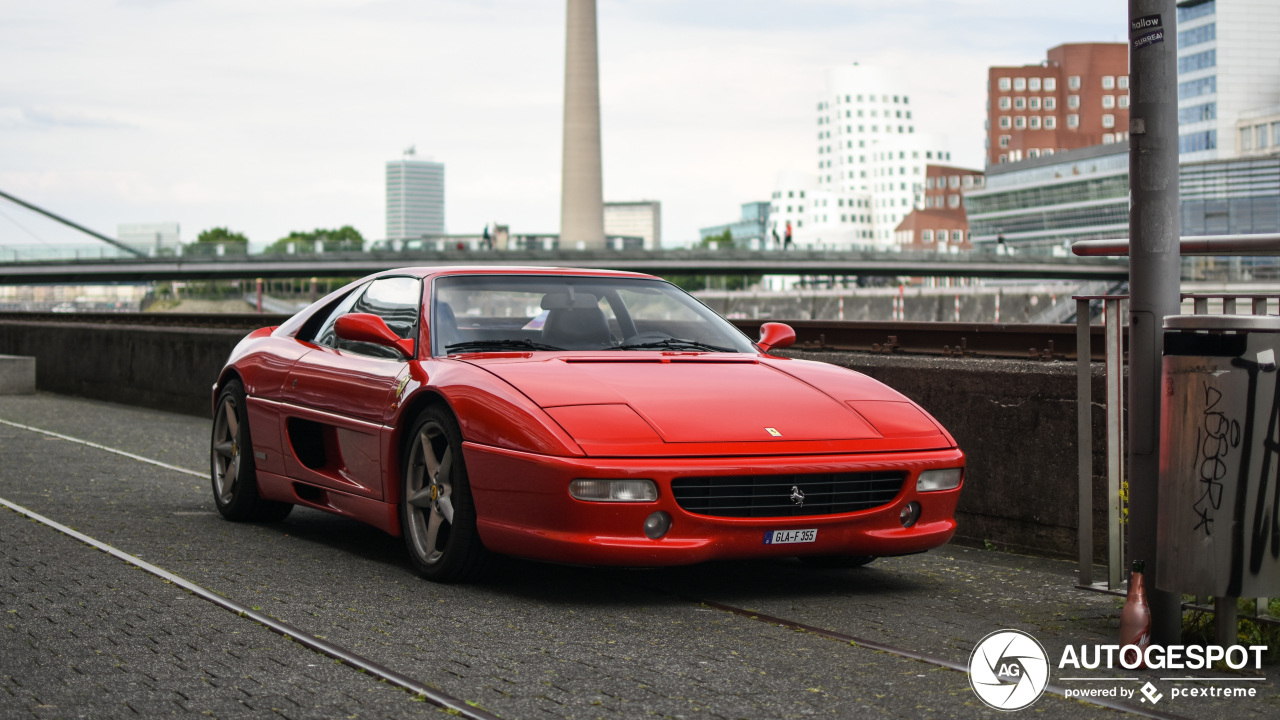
1077 98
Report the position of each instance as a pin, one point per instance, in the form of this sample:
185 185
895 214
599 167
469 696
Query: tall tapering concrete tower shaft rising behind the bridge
582 186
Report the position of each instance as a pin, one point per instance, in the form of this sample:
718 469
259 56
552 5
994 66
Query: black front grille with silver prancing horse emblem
771 496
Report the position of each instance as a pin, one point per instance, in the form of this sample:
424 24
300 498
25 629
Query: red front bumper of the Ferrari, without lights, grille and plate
525 509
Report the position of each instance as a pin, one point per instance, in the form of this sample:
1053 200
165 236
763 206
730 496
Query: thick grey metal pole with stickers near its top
1155 229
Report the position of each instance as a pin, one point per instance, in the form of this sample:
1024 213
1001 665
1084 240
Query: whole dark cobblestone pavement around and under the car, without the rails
93 637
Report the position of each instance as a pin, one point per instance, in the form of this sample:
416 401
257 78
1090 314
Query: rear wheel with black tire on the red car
232 468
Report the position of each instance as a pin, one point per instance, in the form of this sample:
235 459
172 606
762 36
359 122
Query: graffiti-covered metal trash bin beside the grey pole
1220 457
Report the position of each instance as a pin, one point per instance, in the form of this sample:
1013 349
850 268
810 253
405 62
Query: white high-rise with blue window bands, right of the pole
1228 72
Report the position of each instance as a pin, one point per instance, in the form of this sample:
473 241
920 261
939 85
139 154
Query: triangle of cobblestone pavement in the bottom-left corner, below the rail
86 636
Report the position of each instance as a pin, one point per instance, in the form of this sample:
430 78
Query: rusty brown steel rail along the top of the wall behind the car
949 340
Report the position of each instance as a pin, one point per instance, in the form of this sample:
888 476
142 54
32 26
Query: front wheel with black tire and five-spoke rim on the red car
438 514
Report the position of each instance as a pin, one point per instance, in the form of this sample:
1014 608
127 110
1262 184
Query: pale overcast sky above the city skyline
272 116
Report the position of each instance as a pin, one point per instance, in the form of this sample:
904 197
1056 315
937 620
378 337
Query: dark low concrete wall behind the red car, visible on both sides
1014 420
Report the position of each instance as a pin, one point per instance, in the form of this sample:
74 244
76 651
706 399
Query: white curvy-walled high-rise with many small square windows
870 165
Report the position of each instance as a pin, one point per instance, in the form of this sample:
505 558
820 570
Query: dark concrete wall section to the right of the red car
1016 421
